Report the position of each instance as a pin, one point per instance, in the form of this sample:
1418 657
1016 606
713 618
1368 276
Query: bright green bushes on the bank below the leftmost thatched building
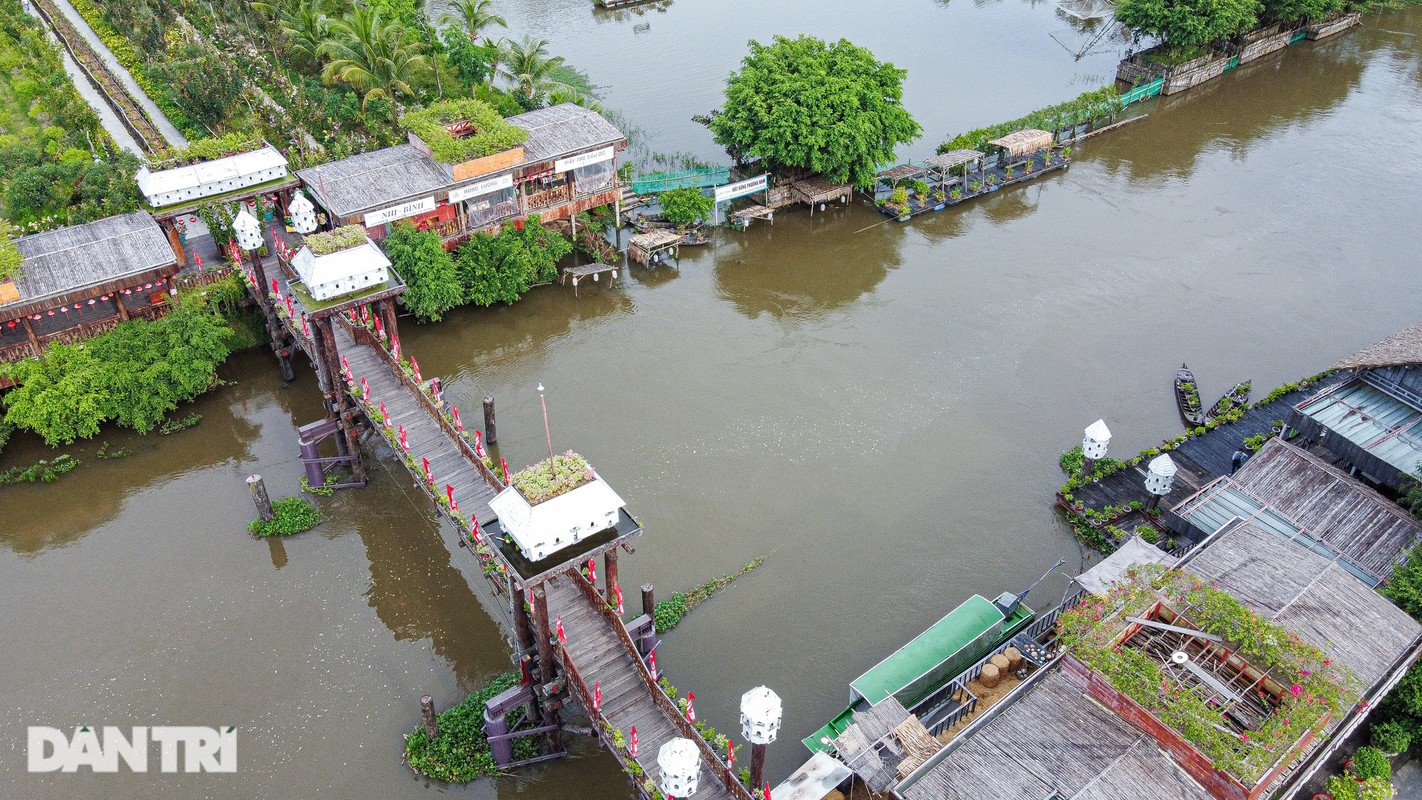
134 376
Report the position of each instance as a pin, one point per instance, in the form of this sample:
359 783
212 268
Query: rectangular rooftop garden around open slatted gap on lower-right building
1303 688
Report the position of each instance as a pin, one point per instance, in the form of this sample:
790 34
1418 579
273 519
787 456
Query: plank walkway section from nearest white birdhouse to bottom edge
599 653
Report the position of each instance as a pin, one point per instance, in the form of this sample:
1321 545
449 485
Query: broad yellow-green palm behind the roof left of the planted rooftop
375 58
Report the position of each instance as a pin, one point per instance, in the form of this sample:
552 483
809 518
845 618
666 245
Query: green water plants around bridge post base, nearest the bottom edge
461 754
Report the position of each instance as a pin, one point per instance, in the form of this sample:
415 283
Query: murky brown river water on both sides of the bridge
875 407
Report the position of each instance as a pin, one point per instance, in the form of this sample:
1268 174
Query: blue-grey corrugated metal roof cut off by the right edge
1373 420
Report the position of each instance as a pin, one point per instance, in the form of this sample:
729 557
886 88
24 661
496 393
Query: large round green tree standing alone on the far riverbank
828 109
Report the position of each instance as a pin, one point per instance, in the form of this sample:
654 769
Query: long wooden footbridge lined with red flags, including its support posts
372 390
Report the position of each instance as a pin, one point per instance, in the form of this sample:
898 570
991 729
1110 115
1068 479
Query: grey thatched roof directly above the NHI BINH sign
376 180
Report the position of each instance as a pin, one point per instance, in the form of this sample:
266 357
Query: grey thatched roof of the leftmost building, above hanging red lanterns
68 259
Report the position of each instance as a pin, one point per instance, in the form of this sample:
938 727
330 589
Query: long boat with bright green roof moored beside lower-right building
934 659
